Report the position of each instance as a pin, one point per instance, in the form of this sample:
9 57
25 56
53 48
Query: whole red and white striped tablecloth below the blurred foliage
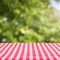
29 51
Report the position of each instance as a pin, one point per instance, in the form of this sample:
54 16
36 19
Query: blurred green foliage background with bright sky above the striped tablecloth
29 20
